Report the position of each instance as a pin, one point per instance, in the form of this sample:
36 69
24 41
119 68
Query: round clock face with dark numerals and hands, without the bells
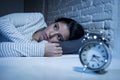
94 55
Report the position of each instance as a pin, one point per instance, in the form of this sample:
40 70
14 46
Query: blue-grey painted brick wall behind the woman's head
93 14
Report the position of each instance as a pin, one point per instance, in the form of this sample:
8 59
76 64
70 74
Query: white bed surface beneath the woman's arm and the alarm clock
67 67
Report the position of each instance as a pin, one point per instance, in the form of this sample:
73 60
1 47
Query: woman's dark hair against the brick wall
76 30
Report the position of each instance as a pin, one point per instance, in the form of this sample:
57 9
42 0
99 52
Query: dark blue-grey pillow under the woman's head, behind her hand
71 47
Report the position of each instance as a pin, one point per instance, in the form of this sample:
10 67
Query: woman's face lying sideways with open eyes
56 32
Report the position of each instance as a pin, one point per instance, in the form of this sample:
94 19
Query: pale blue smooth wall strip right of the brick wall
117 29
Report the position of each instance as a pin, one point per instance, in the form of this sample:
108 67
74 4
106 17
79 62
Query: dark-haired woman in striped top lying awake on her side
26 34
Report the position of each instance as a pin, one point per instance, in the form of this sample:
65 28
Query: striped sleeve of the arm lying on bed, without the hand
11 49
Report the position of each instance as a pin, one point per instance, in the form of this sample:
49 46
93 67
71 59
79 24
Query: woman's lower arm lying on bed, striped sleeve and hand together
11 49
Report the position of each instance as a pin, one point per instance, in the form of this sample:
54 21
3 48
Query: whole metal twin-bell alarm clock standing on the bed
95 53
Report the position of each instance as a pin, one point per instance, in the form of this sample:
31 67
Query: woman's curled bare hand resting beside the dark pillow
53 50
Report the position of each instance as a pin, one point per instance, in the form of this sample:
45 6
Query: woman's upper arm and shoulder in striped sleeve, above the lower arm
10 23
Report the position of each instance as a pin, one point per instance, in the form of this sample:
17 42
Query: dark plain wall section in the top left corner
11 6
